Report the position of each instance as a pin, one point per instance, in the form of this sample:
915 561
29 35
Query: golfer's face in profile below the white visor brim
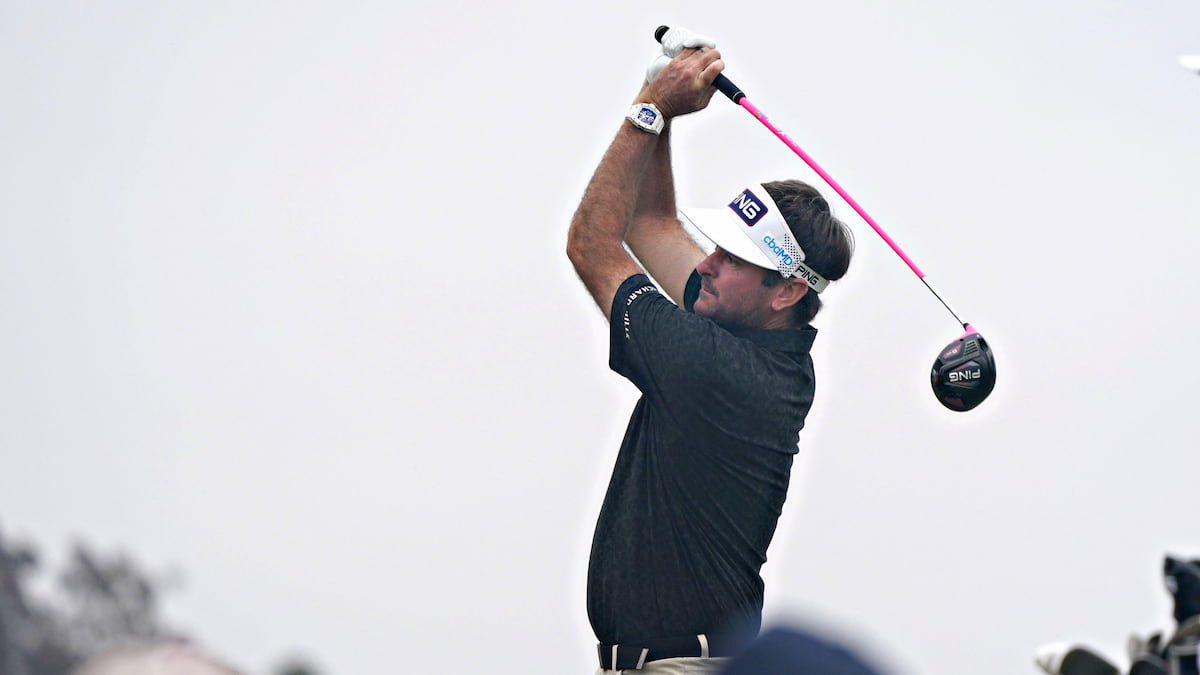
731 292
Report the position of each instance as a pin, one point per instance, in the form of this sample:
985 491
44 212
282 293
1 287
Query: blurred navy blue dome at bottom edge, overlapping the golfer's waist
789 652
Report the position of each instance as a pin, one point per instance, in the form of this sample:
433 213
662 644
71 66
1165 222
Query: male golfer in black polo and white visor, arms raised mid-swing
719 348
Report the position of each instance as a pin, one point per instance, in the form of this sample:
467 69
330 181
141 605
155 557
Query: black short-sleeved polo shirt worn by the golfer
703 473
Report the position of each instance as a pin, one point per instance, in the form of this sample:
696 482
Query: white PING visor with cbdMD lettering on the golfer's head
753 230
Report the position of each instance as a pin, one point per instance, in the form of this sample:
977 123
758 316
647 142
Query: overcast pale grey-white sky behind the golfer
284 304
